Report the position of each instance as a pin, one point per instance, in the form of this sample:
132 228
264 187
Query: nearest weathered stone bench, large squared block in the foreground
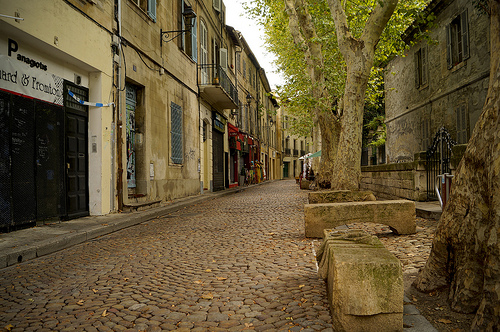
364 282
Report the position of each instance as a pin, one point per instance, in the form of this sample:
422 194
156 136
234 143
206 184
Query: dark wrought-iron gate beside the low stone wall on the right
438 160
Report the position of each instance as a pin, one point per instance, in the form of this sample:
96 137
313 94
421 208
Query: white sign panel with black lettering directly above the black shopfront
33 81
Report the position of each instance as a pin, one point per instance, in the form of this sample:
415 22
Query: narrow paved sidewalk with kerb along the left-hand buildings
23 245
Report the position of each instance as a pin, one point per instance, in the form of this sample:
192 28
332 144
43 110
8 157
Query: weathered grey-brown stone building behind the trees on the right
439 83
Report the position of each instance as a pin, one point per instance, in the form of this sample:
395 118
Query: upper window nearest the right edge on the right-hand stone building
457 40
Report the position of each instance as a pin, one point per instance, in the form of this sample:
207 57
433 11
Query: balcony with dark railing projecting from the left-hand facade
212 79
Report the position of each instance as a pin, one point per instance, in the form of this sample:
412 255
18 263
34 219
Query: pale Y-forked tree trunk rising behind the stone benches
358 54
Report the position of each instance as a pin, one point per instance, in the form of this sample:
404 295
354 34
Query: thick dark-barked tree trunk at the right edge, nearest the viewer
465 252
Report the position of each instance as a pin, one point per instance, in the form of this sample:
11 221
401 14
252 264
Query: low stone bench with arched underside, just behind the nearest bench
399 215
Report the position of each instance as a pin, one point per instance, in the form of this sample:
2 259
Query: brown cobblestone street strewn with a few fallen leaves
232 263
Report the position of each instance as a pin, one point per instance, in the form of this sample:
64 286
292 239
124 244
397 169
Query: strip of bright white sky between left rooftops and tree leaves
254 36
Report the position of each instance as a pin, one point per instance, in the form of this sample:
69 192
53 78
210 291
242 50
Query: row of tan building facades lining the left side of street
111 105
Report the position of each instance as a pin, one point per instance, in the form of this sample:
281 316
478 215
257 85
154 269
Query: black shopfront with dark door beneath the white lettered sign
43 160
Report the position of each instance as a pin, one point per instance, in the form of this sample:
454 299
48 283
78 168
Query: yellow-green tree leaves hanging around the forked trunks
272 16
